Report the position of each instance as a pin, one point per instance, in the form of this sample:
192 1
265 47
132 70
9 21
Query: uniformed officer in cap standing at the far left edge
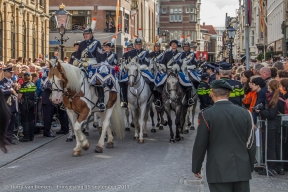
10 95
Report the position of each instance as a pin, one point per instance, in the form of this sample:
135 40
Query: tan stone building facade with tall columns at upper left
24 29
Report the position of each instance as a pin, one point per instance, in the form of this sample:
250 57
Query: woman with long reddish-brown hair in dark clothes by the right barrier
273 107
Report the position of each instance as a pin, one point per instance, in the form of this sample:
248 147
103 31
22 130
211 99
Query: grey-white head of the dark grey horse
172 86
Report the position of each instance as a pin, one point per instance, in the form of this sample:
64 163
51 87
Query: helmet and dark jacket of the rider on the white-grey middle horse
142 55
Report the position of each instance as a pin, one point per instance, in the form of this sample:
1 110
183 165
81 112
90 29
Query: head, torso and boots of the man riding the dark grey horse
171 58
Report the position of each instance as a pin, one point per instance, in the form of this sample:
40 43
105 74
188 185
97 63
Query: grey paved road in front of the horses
156 165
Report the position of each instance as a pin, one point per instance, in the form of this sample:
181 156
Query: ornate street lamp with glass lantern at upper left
62 19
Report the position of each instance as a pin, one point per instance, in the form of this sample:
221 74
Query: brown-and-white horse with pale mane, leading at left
70 86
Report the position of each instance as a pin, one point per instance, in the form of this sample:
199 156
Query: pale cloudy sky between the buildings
213 12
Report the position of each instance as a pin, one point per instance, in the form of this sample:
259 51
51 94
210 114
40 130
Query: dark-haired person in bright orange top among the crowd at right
249 96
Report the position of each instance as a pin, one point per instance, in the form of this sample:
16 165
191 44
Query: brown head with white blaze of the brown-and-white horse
58 80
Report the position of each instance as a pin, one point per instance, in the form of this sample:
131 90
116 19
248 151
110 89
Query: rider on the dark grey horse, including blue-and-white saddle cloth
171 58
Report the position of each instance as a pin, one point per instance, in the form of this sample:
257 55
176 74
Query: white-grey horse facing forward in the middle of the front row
139 99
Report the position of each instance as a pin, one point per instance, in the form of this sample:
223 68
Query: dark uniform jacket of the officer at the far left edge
5 86
